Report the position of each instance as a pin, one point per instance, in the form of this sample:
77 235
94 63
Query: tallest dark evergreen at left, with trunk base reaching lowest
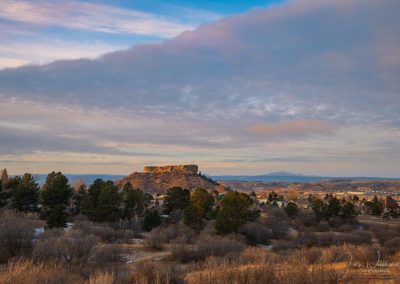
56 194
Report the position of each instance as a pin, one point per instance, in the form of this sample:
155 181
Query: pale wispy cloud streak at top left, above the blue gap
90 16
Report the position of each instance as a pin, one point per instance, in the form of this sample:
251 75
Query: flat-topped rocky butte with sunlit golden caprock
160 179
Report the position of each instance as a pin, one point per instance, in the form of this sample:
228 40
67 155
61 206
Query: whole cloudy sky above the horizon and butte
237 87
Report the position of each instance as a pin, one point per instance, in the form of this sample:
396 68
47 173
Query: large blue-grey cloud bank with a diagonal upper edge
263 63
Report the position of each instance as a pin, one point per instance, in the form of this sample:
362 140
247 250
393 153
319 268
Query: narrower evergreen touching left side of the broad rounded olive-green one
199 209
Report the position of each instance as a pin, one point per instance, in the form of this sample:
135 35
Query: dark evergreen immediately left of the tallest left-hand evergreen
25 195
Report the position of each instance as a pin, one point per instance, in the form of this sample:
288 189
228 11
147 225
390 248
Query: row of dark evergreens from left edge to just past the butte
102 201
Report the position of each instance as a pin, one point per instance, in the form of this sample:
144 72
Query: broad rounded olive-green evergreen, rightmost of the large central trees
235 211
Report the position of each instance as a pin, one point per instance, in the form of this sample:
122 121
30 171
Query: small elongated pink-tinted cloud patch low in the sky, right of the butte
300 127
